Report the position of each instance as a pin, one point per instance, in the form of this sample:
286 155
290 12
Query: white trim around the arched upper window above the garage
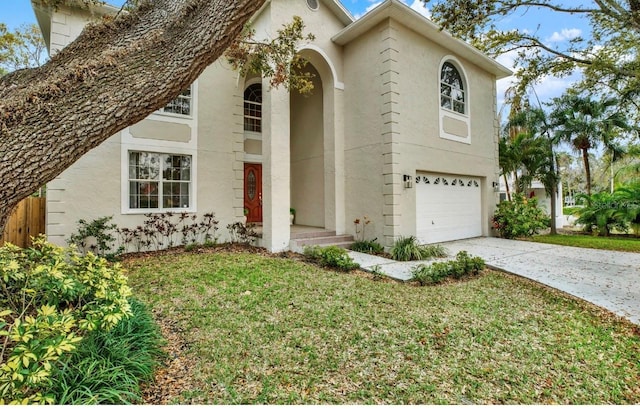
450 113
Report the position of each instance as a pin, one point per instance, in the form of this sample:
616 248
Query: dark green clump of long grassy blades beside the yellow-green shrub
108 366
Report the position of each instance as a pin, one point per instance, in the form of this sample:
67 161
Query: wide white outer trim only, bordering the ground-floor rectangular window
124 177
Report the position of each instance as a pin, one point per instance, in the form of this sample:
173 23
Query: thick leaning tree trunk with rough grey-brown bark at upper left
114 75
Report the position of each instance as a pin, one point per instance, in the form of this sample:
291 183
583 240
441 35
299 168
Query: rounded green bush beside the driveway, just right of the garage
519 217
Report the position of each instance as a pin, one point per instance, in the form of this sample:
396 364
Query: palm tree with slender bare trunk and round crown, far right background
586 123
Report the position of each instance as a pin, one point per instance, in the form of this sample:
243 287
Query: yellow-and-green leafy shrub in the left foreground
51 298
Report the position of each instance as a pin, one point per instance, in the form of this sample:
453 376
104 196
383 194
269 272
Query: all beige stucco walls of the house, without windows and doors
335 156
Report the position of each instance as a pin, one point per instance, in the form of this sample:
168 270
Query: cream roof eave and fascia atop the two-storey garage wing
410 18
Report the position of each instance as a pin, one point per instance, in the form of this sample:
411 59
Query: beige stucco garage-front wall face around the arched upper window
421 147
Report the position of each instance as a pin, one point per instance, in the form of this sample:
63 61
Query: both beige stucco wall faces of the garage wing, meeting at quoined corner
392 127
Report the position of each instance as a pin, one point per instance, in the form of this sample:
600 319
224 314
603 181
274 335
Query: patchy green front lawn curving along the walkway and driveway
267 329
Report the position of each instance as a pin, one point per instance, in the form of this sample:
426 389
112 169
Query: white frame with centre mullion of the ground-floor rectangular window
125 181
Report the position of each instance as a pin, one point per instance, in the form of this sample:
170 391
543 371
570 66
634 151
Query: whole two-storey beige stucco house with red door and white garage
401 127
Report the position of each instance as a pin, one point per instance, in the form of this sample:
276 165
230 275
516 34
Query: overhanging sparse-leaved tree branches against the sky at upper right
608 58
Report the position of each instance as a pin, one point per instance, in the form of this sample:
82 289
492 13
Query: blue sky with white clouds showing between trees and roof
557 28
